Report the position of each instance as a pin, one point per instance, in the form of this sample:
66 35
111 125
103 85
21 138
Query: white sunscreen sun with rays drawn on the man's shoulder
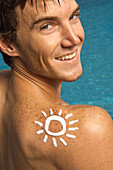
55 134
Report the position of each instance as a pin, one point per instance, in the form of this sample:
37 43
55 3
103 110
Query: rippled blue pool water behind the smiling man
95 86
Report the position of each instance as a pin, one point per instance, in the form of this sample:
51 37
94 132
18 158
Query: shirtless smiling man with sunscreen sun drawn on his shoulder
41 42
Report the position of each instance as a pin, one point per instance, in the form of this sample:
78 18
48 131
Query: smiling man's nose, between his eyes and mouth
70 38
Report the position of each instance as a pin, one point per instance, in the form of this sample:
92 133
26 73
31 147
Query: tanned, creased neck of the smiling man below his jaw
49 89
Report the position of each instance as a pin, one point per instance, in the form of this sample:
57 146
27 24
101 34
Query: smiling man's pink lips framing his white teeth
74 59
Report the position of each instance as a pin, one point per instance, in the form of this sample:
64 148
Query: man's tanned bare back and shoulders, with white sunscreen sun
30 129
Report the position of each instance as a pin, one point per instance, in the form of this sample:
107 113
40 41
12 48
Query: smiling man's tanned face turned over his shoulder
49 41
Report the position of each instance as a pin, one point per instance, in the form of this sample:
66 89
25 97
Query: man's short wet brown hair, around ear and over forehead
9 22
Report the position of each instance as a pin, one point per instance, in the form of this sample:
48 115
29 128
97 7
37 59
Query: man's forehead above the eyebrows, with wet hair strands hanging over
42 8
